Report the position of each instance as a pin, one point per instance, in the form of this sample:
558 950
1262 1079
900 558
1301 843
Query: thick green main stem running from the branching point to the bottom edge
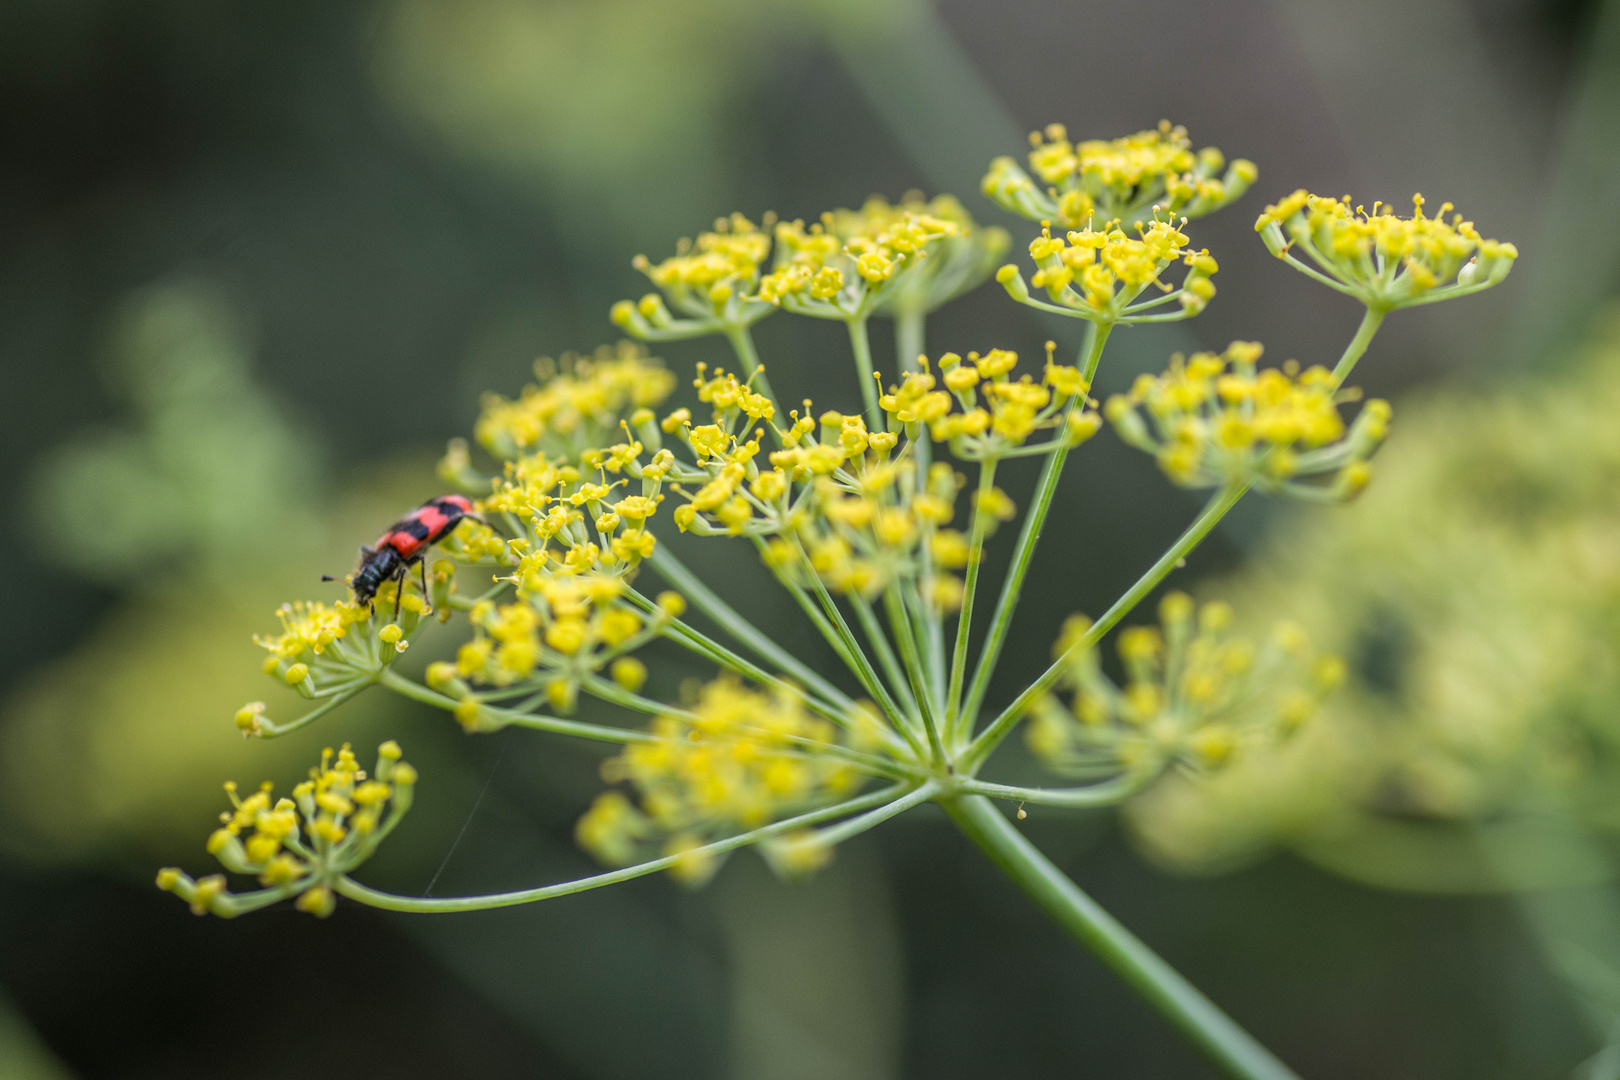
1201 1021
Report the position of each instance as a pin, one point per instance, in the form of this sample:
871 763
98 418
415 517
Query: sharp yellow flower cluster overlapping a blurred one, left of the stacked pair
851 263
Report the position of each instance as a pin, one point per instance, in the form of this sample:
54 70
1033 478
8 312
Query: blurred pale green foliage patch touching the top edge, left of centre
579 95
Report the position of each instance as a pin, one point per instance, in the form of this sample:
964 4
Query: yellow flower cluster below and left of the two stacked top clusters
1012 412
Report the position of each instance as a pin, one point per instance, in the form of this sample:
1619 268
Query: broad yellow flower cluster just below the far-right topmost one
1219 422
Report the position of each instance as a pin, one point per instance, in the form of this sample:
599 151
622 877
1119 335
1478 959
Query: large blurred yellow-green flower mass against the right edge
1477 593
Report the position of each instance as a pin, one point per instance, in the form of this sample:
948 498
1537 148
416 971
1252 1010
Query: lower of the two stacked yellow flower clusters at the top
1099 274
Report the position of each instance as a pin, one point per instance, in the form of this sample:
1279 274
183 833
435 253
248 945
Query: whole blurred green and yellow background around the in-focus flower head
257 265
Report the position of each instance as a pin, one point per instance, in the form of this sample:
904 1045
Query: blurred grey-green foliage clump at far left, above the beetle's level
208 474
